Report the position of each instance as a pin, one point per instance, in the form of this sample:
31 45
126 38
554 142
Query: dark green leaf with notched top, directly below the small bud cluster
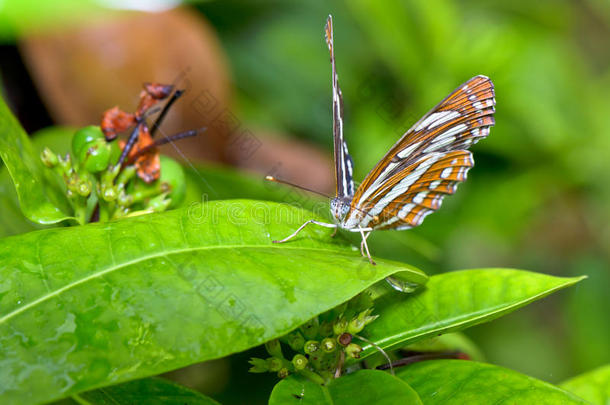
362 387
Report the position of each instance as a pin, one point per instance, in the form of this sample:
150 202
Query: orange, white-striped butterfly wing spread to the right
427 163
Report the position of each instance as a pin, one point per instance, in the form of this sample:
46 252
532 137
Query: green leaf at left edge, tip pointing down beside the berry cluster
40 195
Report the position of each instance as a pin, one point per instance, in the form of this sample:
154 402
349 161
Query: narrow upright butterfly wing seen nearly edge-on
343 161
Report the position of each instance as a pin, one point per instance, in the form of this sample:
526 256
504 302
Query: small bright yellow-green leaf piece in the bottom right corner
593 386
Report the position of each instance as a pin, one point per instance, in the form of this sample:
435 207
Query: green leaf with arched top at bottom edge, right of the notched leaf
451 382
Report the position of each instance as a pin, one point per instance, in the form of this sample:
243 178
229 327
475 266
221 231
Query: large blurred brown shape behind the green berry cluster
82 71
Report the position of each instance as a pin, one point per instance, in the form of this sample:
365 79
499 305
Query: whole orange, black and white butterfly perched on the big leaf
418 172
